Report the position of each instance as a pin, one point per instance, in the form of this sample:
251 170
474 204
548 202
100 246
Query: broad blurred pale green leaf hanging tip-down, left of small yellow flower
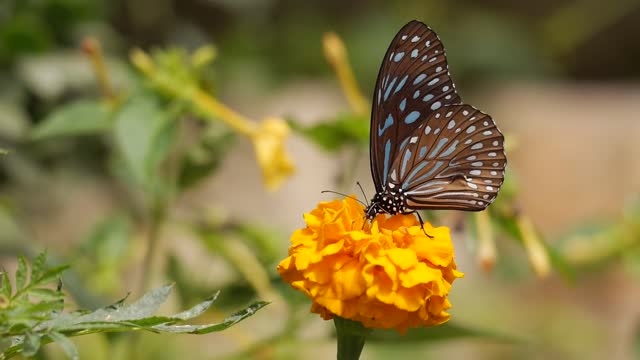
143 132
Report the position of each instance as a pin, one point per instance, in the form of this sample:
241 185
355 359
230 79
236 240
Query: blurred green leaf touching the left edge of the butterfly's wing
334 134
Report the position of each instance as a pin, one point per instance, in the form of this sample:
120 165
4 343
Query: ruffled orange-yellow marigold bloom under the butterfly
387 274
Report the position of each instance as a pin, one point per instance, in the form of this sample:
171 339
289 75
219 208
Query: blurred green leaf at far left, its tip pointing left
83 117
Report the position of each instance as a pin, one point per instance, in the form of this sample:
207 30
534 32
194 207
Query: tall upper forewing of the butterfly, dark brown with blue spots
413 82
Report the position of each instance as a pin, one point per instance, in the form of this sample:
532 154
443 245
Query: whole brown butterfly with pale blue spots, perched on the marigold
429 150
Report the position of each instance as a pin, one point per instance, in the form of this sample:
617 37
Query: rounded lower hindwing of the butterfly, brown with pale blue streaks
454 160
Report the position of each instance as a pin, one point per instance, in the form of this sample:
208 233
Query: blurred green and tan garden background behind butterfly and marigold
111 154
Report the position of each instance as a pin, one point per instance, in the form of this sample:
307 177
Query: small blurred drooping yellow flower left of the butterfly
268 141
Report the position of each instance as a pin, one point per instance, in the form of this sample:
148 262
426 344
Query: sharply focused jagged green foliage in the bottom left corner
26 324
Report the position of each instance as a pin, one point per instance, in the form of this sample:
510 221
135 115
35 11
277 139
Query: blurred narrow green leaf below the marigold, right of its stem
447 331
